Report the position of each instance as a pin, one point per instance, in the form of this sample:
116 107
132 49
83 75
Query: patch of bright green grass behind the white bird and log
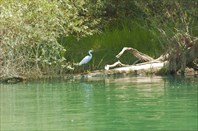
109 43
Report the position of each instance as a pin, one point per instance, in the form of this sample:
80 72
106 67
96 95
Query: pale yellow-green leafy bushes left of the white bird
29 30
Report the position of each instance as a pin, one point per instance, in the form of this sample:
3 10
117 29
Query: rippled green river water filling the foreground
97 104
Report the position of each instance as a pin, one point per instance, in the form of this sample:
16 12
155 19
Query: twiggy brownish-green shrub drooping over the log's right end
175 20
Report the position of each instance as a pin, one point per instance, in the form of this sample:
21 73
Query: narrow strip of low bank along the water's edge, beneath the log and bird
97 74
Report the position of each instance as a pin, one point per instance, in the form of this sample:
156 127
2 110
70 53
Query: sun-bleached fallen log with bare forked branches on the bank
158 65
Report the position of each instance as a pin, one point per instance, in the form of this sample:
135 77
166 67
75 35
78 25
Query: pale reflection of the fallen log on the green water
142 86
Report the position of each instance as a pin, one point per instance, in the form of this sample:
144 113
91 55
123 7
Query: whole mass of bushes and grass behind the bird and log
46 36
